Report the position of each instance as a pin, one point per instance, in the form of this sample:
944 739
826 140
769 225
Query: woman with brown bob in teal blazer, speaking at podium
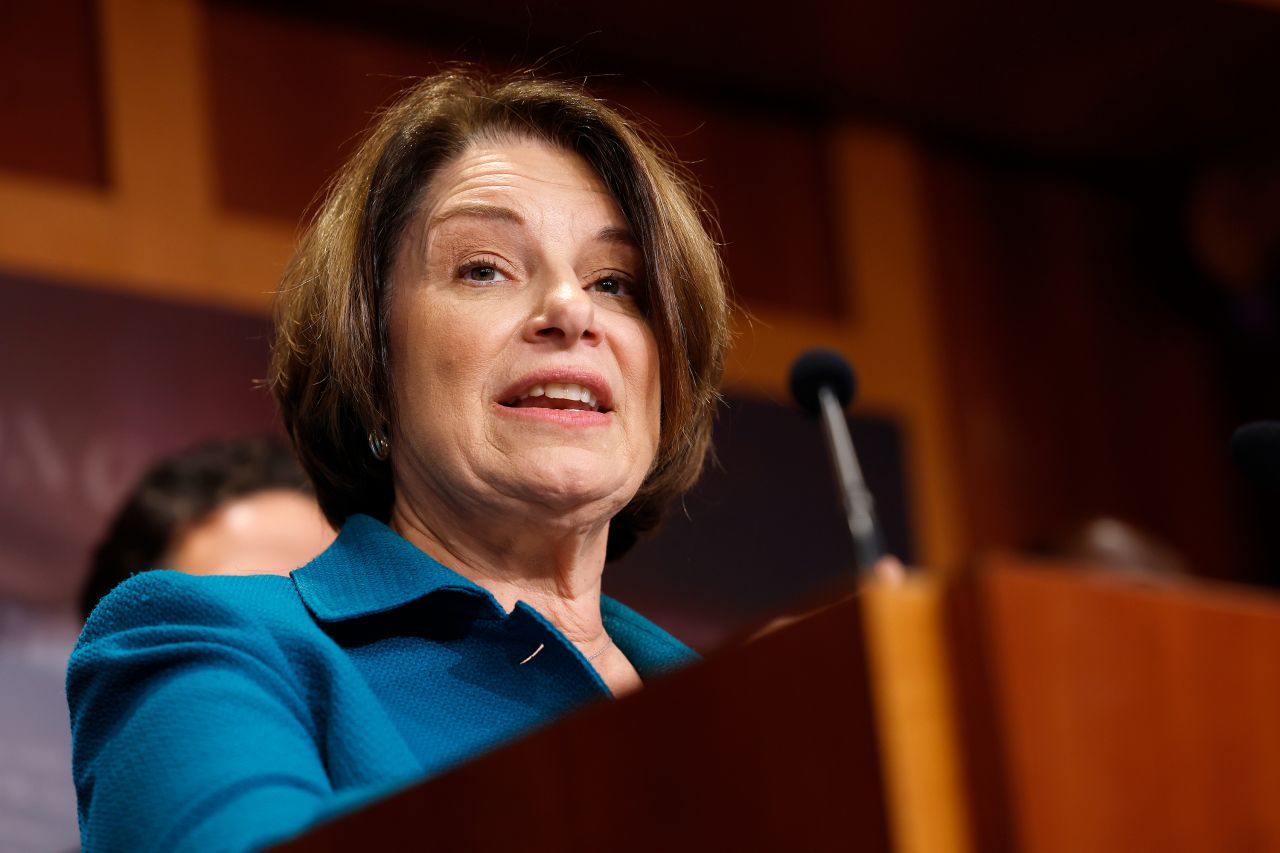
499 353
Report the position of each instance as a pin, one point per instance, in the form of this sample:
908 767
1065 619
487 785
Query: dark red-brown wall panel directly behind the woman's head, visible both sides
290 97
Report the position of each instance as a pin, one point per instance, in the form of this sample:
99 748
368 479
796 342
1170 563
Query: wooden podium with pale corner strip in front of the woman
1018 708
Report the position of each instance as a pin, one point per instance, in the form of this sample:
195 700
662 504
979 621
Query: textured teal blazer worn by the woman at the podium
226 714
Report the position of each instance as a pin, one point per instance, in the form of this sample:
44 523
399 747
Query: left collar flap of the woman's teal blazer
372 569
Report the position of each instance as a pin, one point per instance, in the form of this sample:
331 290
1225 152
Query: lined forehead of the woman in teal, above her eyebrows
527 177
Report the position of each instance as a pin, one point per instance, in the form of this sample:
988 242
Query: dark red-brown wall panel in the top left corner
51 101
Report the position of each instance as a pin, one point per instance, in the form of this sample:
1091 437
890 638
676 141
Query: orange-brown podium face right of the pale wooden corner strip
1101 713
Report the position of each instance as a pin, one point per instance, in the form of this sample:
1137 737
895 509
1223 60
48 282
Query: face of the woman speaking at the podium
524 371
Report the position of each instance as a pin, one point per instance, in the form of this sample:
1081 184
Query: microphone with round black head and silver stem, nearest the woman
824 384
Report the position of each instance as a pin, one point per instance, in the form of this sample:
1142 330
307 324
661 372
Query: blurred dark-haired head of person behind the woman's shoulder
227 507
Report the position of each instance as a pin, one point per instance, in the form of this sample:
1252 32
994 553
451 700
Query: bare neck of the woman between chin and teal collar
554 568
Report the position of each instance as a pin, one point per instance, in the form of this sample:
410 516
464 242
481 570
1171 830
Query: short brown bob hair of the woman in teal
330 363
